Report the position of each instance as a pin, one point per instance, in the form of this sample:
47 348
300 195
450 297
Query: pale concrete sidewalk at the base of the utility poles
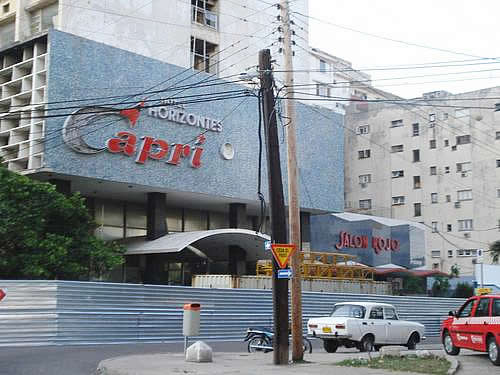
235 363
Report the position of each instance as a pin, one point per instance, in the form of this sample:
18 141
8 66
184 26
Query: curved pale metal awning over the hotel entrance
209 240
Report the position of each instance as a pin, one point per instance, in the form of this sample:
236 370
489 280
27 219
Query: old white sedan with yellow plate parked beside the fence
366 326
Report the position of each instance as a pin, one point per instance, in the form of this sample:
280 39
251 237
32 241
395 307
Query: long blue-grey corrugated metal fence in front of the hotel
65 312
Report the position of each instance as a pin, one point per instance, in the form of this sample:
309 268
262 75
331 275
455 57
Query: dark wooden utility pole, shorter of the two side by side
277 204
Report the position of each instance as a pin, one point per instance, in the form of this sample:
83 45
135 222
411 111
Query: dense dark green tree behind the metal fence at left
46 235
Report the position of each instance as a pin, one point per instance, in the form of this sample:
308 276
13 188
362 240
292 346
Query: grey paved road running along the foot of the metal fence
83 360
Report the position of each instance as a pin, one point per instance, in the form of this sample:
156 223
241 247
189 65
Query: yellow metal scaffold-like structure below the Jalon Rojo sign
316 265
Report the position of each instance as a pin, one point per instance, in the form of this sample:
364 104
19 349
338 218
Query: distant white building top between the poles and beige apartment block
338 84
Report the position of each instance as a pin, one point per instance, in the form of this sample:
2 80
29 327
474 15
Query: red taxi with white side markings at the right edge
475 326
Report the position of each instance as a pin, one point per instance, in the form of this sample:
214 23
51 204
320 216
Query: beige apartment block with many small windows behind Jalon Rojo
436 162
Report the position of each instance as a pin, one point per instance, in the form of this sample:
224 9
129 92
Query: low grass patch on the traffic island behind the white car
411 363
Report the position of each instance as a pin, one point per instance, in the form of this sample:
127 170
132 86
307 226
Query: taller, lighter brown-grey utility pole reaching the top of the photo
293 194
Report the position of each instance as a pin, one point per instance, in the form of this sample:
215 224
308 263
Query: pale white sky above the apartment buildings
468 30
